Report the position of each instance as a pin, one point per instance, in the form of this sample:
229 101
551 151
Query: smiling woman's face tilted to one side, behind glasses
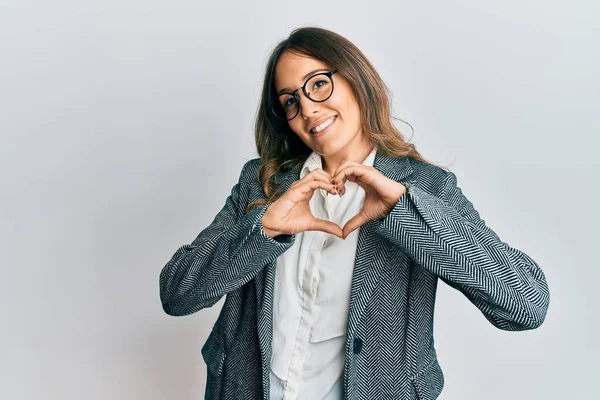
343 136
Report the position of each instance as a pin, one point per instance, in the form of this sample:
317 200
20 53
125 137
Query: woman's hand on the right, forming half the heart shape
381 192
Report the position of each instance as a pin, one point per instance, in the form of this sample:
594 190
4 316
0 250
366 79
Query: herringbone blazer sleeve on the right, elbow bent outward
445 235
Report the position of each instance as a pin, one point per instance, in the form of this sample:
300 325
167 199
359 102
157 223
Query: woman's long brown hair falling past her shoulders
280 149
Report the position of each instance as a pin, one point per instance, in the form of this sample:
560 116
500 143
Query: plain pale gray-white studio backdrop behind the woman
124 125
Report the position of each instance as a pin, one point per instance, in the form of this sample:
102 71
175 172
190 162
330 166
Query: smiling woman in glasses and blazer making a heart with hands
331 292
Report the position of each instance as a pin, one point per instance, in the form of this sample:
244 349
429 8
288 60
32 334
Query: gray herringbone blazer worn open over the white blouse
433 232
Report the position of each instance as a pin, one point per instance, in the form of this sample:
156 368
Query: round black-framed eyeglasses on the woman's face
286 105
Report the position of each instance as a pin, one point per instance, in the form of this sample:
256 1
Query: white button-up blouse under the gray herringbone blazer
312 297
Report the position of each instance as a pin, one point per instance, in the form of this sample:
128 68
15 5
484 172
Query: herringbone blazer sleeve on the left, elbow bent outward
223 257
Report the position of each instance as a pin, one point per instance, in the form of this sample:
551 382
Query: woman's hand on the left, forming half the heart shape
291 213
